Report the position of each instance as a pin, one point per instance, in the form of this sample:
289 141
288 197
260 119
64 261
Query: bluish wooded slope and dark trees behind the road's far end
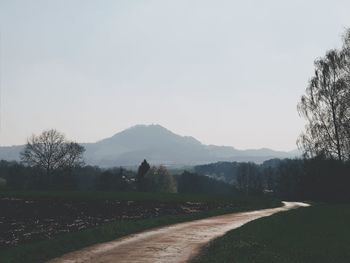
318 179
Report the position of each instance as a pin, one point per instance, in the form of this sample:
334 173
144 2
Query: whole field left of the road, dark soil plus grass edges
36 226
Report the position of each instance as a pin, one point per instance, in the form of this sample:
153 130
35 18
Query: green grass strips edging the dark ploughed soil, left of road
41 251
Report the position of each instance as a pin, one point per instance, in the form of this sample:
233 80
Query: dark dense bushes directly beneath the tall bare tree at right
317 179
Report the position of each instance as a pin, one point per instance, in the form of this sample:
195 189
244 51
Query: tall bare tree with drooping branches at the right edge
326 107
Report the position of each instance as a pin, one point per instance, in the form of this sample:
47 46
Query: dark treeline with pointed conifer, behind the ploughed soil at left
16 176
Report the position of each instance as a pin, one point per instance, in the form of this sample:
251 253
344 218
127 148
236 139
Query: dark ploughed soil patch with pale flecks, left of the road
23 220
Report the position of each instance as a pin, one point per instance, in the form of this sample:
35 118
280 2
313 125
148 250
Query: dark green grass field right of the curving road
317 234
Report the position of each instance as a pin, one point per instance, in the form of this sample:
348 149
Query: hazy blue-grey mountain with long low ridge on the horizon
159 146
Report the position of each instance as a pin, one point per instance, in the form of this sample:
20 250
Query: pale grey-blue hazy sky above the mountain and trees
225 72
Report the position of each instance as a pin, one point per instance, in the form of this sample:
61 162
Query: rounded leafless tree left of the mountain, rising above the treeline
51 151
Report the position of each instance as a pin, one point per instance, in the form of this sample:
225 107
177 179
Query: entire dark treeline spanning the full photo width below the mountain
316 179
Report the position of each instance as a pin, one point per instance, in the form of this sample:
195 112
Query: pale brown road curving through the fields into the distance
176 243
